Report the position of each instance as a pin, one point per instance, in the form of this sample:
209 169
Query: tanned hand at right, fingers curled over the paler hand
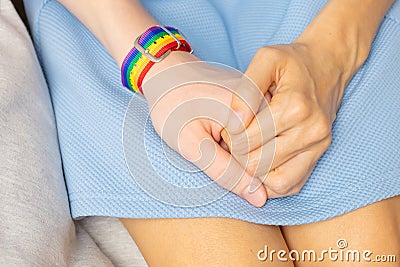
306 86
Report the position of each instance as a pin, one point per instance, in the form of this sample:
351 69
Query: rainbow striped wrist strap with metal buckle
151 47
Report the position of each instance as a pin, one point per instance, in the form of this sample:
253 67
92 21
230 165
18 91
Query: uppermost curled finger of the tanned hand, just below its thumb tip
288 111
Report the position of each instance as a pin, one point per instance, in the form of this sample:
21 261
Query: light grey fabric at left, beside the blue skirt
36 228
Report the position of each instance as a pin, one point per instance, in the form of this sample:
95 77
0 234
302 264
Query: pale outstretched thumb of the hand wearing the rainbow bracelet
227 172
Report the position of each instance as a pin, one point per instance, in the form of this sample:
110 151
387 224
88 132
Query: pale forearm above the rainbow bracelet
116 24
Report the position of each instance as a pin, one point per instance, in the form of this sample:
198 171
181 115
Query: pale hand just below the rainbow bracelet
178 116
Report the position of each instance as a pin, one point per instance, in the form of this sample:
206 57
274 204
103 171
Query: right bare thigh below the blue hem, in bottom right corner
375 227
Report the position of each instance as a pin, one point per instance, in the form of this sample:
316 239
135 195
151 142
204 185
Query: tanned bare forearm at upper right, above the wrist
347 28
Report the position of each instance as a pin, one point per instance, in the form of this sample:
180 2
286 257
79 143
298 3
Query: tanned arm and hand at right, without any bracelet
304 97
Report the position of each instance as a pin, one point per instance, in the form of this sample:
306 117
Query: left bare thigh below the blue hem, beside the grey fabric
203 241
